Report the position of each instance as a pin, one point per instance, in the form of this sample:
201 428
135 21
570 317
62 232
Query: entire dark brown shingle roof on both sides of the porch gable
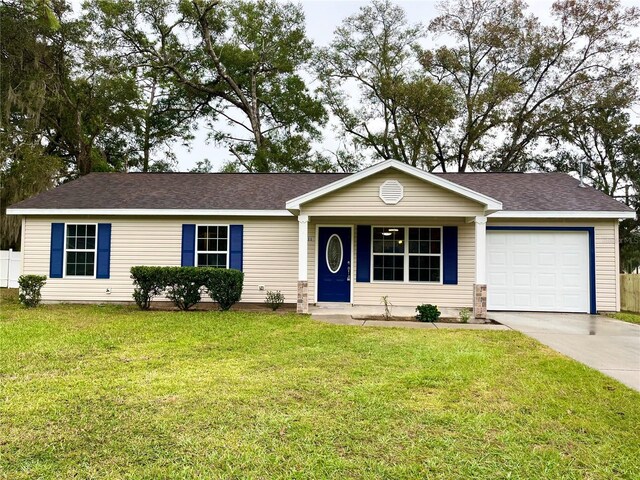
270 191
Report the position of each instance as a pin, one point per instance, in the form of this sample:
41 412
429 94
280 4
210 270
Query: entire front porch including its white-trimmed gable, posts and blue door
394 232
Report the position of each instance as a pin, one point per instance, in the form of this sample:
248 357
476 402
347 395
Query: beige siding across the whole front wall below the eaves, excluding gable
270 258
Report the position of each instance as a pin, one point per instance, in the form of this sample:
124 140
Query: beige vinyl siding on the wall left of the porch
269 255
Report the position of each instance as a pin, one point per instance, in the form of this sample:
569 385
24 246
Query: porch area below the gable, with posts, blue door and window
344 265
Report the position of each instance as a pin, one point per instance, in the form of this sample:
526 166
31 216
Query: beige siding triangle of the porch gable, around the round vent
421 199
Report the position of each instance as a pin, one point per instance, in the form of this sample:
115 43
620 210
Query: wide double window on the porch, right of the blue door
402 254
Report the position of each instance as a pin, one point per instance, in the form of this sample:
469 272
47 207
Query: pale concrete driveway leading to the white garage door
608 345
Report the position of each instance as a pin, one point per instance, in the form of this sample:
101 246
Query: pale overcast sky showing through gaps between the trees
322 17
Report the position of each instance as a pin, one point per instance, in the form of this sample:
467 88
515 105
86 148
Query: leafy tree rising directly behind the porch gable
373 51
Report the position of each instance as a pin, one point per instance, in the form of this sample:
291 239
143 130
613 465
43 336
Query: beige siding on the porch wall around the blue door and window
405 293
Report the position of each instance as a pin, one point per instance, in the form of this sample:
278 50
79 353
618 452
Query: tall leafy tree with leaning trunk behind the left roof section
242 60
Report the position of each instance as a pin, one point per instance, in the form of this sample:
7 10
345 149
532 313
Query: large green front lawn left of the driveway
110 392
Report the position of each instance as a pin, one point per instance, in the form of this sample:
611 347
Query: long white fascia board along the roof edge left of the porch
156 212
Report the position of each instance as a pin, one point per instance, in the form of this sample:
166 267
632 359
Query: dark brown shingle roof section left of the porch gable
234 191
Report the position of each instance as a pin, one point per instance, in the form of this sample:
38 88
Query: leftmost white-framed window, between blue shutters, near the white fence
80 250
